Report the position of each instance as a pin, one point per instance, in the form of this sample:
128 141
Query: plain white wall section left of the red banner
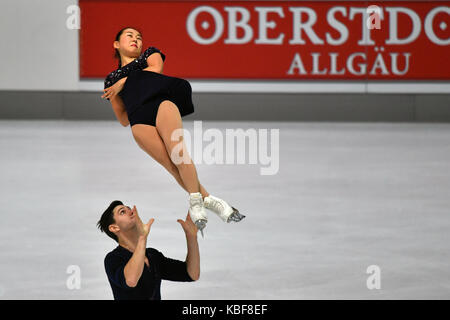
38 51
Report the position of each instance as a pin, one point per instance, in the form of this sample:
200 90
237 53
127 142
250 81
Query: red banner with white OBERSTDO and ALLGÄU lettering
298 40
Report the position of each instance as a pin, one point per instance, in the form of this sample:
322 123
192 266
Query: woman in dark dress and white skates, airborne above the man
153 104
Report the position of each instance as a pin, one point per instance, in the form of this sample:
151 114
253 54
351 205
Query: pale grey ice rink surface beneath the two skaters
346 196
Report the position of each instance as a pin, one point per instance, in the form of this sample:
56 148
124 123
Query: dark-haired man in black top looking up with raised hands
135 271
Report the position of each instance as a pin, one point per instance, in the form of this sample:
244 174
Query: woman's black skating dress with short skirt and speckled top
143 91
